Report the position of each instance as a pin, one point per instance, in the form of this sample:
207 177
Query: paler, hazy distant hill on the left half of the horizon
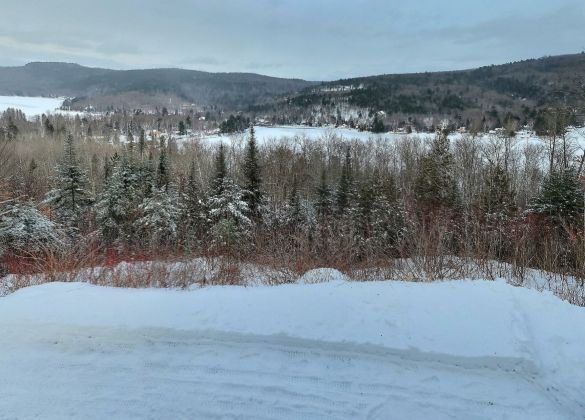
154 87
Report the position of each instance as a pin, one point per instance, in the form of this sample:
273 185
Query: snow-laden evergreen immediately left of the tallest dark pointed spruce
228 211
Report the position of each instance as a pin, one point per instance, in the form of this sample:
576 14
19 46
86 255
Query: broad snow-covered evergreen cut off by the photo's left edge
25 230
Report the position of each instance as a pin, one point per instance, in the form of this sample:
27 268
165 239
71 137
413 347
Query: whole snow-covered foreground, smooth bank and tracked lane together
337 349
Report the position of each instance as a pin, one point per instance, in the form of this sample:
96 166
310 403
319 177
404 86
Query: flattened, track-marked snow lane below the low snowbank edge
164 373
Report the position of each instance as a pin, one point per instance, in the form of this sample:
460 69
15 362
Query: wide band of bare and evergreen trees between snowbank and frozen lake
71 191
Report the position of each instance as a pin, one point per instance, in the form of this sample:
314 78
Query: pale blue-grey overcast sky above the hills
311 39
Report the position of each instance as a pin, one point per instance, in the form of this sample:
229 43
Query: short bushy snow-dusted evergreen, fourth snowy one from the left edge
158 220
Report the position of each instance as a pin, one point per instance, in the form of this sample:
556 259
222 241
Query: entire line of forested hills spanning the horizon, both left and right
489 96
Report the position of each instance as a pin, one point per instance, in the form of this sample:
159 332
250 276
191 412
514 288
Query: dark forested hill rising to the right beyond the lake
515 90
